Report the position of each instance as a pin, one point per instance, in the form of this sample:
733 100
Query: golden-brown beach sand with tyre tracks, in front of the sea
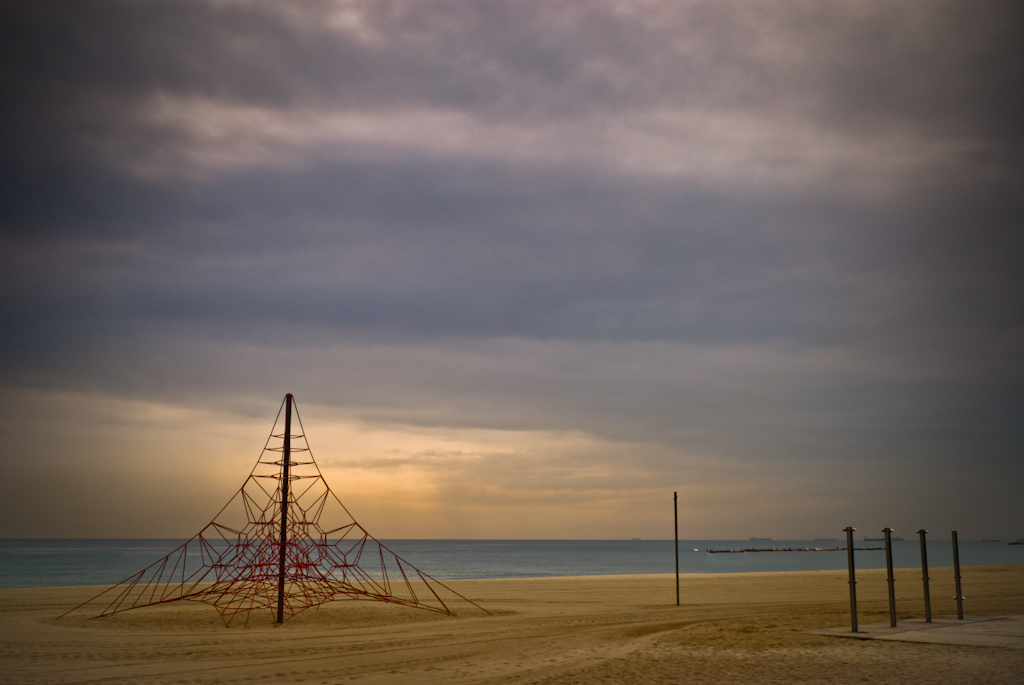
745 628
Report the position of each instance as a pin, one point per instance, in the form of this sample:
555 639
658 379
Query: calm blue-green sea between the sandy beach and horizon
26 564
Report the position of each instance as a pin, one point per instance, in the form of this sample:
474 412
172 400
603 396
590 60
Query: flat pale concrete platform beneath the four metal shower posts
1006 632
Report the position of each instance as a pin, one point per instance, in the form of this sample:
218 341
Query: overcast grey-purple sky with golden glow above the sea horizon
528 268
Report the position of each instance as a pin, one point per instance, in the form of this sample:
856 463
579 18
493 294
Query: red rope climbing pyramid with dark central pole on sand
285 543
